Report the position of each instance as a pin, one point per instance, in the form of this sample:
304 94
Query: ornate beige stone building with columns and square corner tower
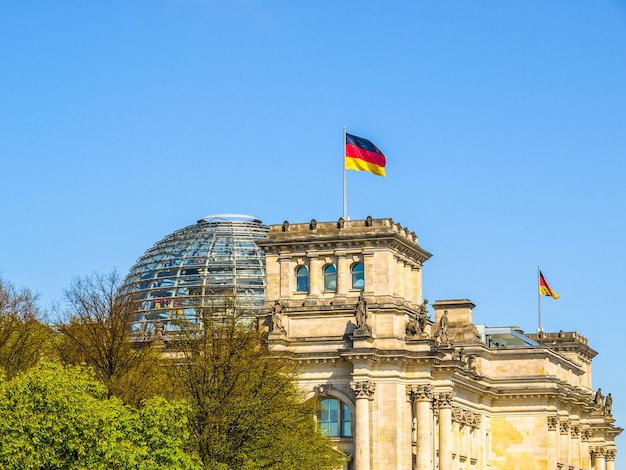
402 385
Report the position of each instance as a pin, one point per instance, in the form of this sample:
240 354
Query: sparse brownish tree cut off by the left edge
23 338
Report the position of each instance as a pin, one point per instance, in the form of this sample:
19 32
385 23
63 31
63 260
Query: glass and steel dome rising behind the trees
198 268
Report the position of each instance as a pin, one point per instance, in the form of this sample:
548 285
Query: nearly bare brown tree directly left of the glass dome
96 330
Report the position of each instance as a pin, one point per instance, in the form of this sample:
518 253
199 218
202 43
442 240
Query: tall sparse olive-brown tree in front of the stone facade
245 411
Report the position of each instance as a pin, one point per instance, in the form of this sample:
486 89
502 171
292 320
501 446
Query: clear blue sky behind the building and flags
503 124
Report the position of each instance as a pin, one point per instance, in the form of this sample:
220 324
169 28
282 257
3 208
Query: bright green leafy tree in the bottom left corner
56 417
